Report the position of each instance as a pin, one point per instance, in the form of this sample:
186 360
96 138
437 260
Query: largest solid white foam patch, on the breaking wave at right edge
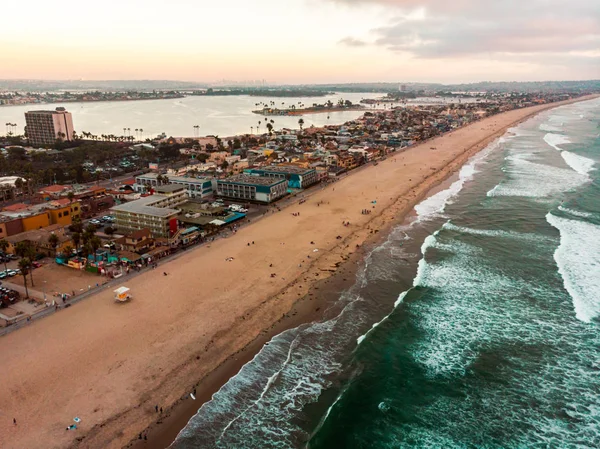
578 261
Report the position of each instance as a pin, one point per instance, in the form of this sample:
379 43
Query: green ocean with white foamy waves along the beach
476 325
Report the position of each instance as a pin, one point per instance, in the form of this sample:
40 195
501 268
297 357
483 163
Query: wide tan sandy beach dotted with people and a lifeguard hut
111 364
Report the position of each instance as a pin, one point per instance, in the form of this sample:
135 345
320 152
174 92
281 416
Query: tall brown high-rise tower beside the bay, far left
45 127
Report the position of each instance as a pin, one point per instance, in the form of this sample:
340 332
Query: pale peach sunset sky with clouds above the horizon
302 41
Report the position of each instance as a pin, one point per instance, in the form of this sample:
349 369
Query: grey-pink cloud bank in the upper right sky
463 28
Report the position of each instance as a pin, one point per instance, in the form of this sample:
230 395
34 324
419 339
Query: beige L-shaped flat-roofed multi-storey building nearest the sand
156 212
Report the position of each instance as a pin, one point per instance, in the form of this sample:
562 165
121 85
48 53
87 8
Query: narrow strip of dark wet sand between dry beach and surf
162 433
